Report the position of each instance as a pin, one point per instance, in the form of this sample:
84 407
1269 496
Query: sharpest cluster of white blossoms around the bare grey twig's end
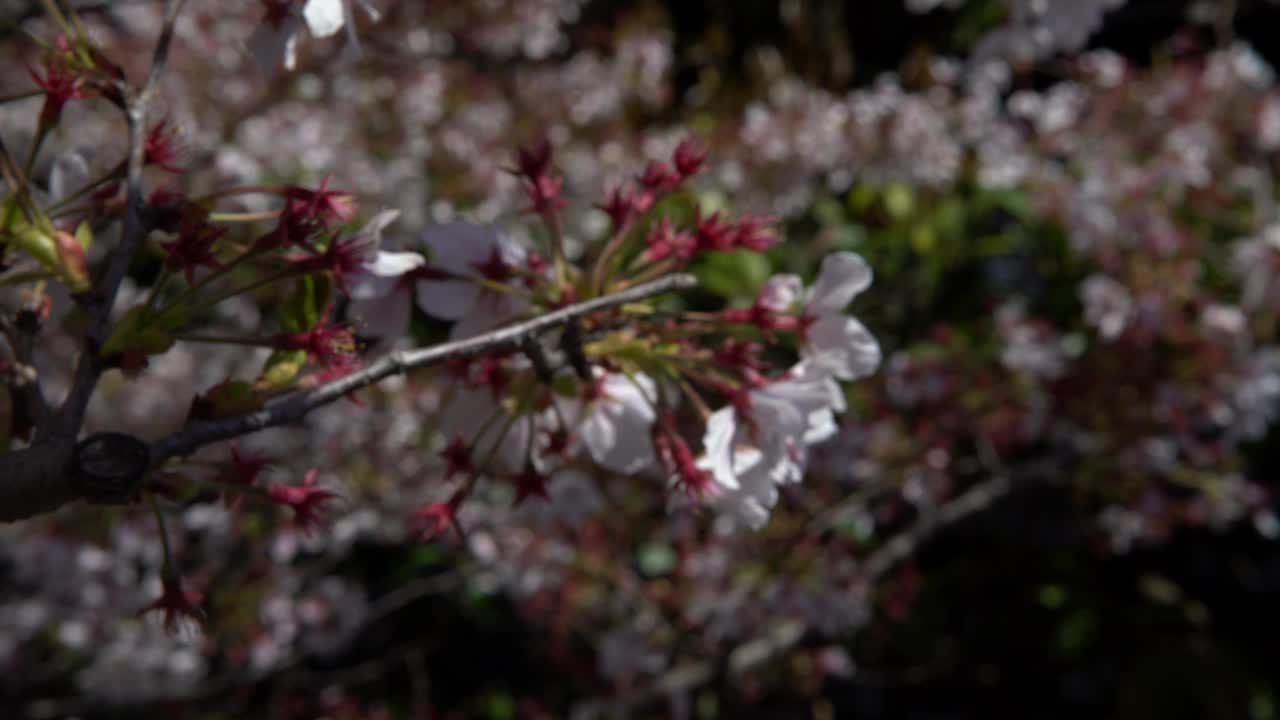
529 418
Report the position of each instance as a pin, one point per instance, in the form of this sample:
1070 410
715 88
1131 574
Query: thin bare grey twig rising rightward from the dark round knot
510 338
